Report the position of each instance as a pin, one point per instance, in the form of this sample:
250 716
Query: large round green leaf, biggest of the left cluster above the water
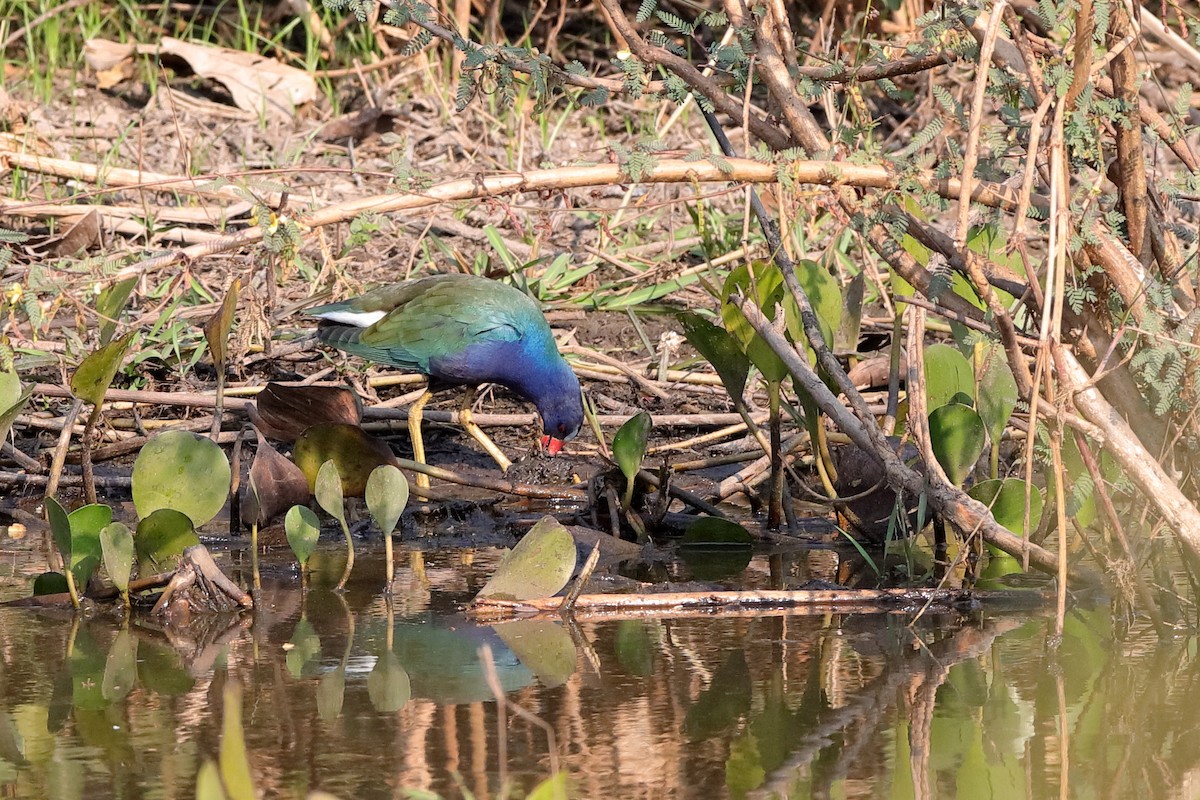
182 471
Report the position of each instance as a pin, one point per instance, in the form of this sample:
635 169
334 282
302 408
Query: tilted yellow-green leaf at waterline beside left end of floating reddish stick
539 567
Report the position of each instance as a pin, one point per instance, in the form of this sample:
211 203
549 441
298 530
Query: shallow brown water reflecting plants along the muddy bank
367 701
